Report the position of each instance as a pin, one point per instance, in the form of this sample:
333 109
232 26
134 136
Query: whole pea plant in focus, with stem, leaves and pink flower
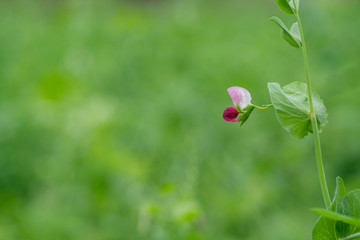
301 111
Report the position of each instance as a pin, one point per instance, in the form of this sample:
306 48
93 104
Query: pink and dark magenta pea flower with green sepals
242 105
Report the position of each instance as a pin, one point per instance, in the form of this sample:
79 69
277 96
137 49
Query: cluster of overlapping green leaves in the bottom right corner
341 219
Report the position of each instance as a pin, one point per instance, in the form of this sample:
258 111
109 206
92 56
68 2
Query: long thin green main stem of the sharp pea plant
319 161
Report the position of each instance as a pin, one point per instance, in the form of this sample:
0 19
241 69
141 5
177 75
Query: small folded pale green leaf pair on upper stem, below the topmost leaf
292 36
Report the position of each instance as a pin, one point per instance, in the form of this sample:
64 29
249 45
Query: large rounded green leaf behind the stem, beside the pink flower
292 108
